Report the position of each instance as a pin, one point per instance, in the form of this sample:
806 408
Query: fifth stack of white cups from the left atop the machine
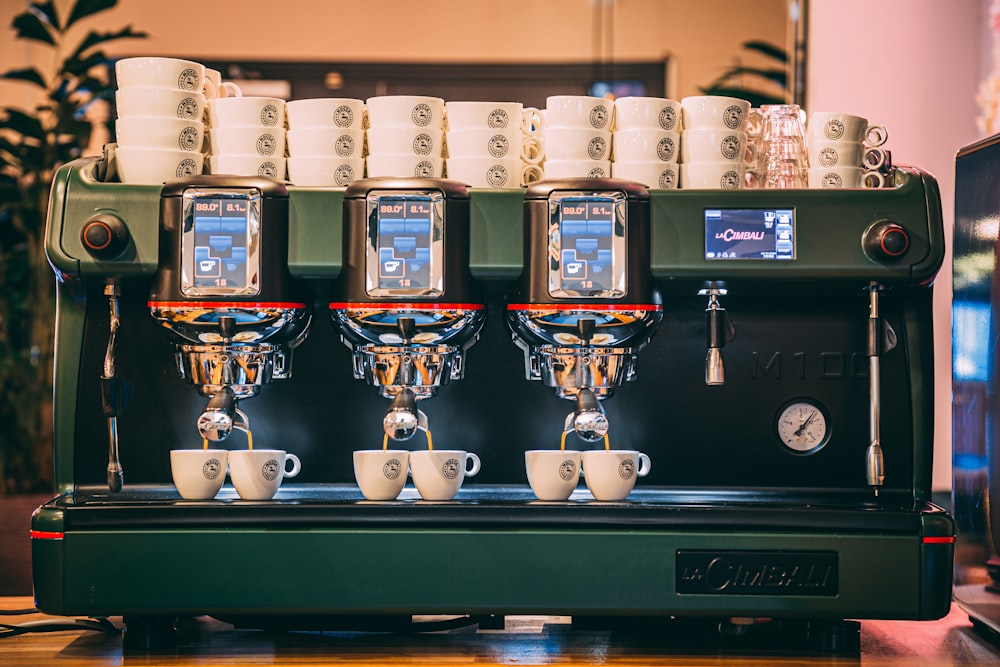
493 144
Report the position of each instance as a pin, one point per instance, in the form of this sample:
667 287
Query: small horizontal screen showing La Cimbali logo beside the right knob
750 234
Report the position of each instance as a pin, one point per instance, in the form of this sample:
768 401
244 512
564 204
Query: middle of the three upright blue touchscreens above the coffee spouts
403 241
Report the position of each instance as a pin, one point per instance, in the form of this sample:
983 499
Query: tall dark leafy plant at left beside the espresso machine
33 145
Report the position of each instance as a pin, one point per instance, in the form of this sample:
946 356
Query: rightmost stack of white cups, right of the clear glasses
845 151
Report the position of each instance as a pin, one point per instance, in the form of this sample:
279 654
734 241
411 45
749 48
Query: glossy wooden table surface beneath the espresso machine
526 640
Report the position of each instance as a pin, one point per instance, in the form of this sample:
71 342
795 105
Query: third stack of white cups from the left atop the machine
326 140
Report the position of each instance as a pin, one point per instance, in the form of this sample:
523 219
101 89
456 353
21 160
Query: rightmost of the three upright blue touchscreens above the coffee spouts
586 231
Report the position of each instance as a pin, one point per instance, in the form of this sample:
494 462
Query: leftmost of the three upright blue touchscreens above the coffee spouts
221 236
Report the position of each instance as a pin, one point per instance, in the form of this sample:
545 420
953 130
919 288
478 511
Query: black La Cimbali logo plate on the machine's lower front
813 573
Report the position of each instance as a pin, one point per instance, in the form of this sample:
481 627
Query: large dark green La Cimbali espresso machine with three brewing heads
770 351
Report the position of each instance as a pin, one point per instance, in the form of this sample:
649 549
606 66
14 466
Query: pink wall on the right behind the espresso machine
913 66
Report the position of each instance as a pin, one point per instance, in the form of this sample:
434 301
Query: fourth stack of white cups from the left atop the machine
405 136
